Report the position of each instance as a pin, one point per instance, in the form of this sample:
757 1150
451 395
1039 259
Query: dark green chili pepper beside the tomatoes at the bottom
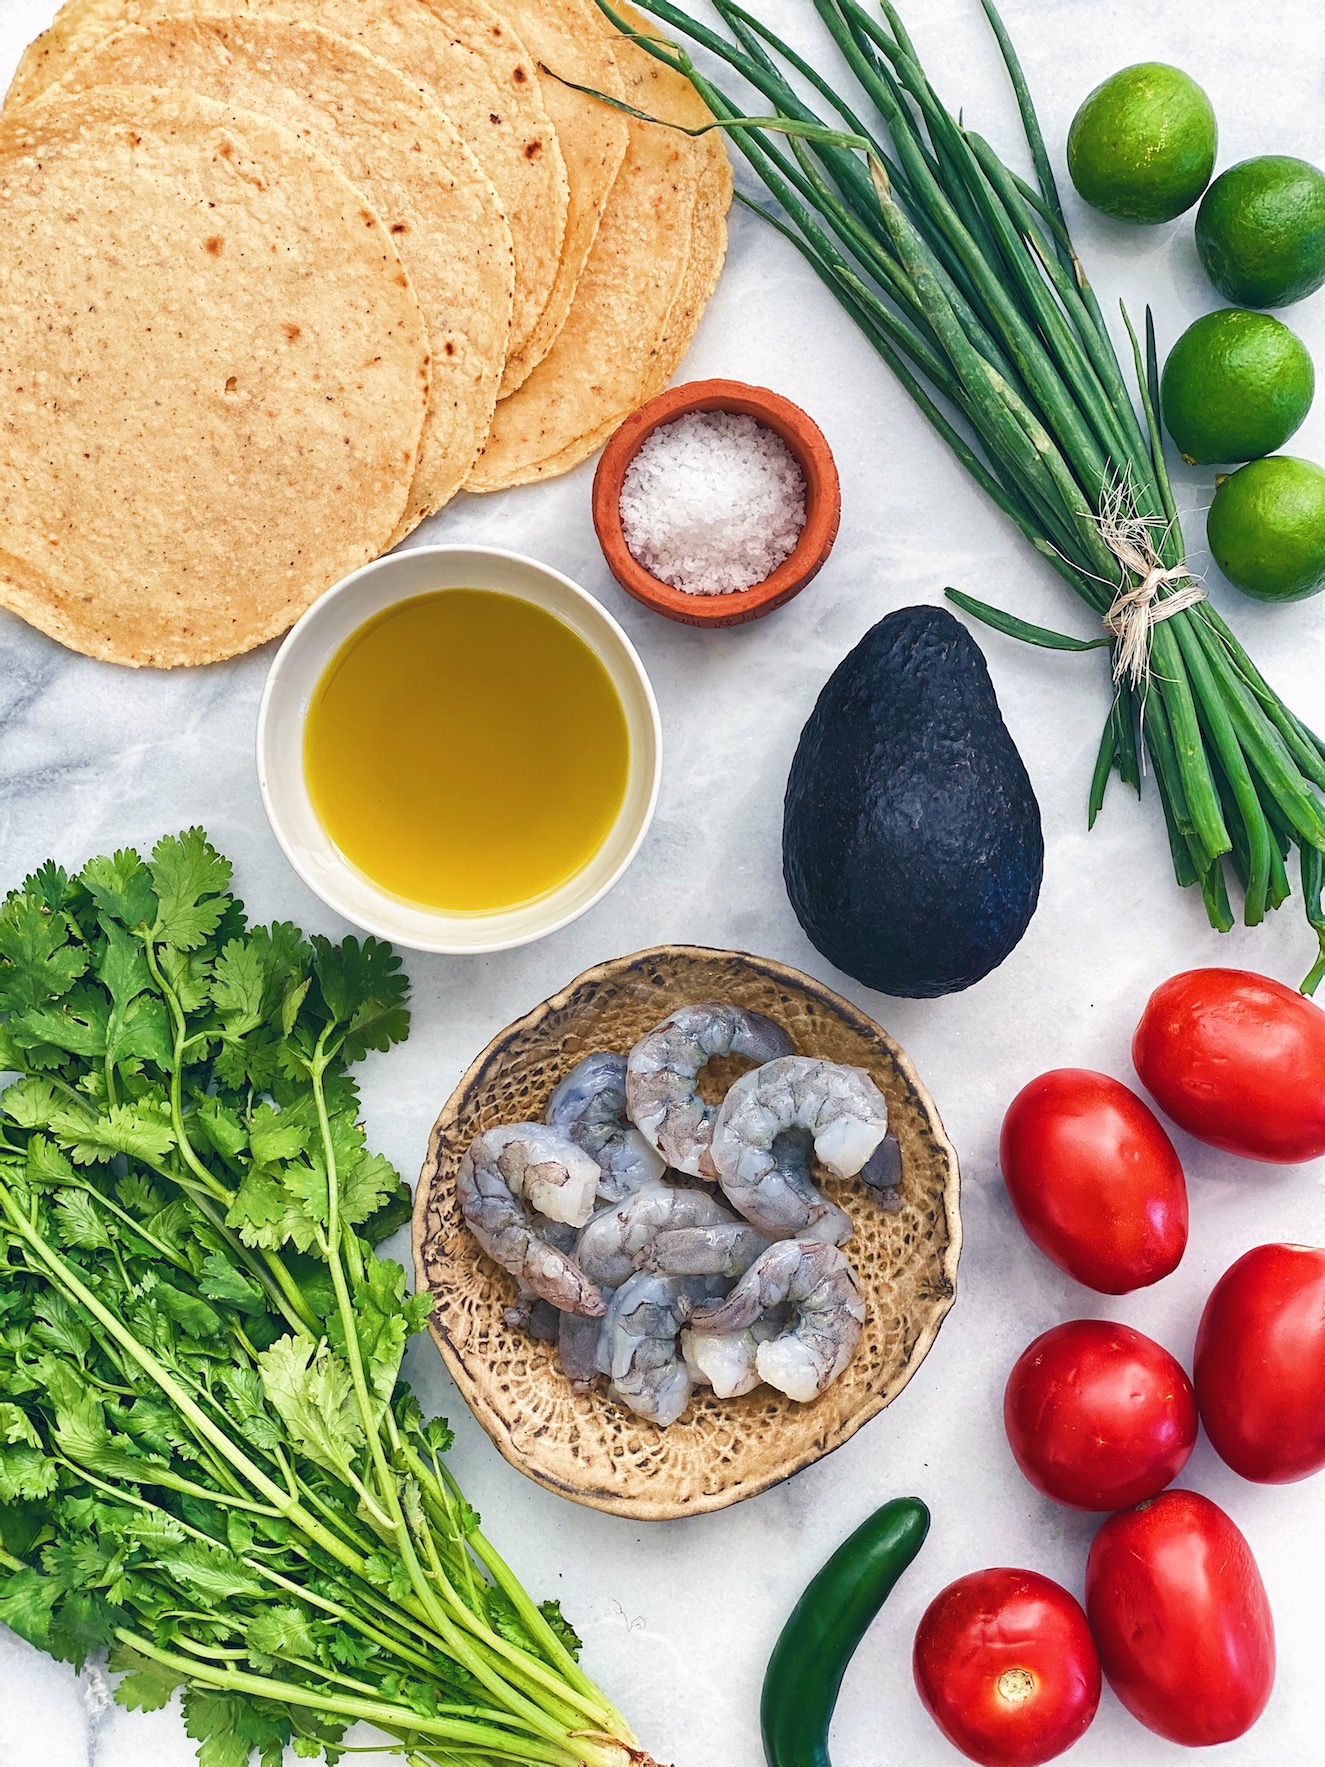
812 1655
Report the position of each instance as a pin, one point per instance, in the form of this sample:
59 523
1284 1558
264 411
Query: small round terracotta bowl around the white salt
824 503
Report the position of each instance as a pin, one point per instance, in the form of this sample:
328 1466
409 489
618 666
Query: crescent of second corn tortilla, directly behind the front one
400 151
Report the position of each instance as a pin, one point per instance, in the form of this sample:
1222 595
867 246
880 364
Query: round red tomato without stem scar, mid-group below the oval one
1100 1416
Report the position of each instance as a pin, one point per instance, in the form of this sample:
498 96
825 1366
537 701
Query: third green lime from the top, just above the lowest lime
1236 386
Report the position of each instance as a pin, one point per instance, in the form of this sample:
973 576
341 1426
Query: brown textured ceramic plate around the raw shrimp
589 1448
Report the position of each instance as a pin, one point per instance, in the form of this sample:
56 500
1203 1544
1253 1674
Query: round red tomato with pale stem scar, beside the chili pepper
1006 1667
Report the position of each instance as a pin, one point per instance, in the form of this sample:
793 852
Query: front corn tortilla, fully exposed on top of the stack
215 375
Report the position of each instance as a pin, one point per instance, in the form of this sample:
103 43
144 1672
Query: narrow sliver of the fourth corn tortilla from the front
572 38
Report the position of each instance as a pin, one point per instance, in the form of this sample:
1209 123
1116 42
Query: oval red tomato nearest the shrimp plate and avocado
1094 1179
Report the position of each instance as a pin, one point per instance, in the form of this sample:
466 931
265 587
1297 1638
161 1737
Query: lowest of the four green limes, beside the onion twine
1268 529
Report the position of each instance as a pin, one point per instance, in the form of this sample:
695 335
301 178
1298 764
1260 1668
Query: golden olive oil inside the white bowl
467 752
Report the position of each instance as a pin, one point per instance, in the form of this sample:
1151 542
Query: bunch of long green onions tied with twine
964 278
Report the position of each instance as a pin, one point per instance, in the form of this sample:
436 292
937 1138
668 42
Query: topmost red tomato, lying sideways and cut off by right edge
1238 1061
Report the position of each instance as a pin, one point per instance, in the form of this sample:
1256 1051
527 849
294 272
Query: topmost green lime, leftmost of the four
1142 146
